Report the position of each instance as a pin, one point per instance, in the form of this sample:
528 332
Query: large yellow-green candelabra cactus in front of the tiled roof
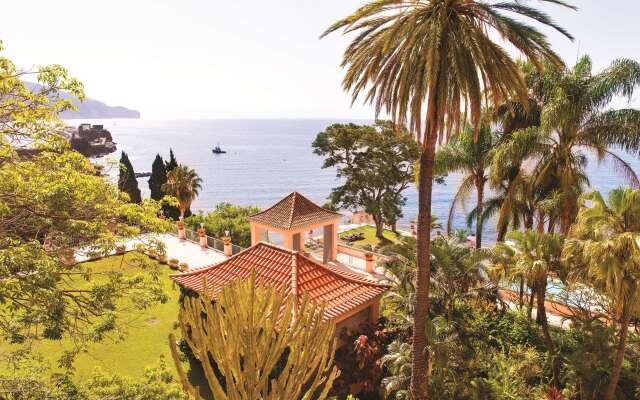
265 346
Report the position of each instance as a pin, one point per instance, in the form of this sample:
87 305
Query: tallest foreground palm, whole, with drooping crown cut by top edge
422 61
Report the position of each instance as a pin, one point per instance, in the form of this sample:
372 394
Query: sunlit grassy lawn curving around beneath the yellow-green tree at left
140 341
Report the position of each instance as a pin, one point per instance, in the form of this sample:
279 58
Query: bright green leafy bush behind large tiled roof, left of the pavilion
226 217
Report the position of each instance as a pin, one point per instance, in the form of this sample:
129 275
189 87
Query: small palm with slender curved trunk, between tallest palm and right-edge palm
536 256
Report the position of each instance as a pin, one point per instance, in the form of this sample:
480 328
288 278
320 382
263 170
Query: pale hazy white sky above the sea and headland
238 59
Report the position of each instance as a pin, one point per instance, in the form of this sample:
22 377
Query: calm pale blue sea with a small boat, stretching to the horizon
268 158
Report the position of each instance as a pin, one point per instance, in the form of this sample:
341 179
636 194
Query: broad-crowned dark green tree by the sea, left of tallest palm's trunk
375 164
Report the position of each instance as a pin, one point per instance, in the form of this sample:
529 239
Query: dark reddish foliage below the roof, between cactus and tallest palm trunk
357 360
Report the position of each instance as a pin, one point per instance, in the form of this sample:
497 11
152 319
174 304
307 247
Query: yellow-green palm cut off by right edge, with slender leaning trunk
604 248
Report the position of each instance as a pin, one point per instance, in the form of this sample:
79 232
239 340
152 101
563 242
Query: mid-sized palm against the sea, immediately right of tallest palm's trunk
471 157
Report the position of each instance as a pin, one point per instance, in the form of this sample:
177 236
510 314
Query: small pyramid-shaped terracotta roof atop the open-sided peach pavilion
294 212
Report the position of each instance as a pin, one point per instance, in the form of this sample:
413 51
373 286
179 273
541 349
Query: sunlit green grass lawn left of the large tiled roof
146 337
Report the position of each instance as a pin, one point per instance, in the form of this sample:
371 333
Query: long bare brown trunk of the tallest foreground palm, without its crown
420 357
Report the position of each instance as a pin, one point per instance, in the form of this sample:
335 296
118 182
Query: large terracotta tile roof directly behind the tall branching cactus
341 291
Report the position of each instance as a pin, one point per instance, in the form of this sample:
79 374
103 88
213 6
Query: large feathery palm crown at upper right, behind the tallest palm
574 118
